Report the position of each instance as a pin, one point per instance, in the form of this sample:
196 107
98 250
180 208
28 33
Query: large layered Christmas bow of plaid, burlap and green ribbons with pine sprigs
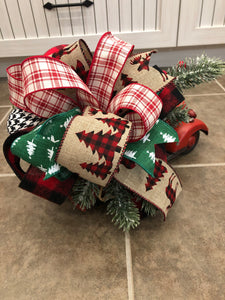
96 128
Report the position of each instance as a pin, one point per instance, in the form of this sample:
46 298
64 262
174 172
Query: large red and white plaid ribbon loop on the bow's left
37 92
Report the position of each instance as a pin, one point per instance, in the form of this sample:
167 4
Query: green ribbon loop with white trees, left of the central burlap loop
39 146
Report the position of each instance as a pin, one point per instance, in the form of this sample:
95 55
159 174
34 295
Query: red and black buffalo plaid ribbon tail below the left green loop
51 189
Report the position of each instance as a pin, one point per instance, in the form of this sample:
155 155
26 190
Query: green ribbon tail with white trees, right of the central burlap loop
142 152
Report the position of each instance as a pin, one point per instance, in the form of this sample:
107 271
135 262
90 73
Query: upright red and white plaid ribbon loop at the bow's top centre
108 61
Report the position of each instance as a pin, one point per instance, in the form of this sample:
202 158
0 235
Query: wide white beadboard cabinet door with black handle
26 28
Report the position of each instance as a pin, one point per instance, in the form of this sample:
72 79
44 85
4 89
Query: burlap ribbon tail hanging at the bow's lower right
136 180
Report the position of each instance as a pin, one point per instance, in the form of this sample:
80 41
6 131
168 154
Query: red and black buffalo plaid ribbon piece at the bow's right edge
170 97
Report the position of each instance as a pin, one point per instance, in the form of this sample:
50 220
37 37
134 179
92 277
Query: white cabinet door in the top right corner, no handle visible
201 22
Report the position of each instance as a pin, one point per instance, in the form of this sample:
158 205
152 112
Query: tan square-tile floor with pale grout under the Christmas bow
52 252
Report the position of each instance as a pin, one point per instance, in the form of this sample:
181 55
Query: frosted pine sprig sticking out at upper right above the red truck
193 71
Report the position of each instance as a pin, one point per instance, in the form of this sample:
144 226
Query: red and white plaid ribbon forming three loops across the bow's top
33 87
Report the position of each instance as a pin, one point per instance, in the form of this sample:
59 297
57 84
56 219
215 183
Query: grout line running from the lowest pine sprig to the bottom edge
130 281
